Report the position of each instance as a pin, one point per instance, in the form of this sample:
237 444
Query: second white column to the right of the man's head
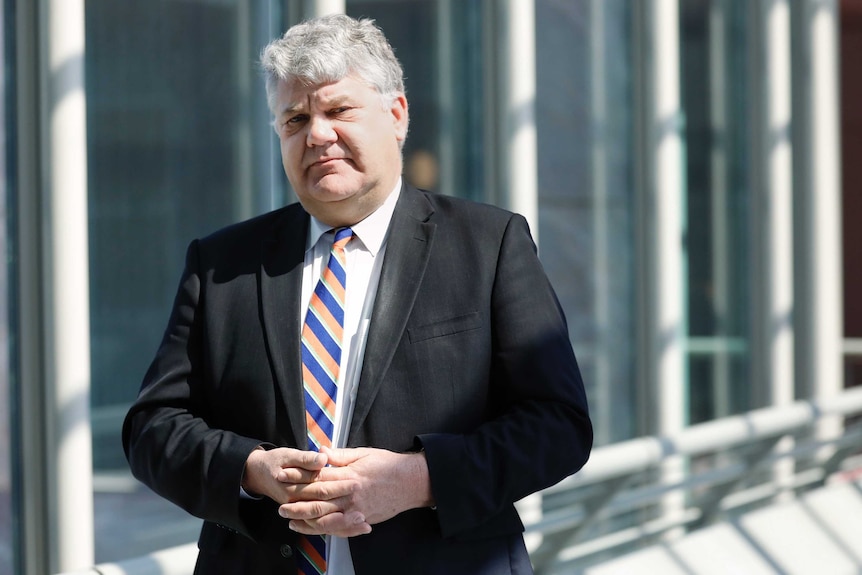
660 232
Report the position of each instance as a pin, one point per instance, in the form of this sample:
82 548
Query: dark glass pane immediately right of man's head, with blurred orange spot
440 47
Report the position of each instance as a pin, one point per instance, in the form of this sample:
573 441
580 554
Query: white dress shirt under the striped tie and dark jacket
364 255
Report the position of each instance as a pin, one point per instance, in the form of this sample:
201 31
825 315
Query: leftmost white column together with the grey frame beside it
52 436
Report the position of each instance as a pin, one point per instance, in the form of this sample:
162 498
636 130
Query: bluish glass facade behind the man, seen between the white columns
179 144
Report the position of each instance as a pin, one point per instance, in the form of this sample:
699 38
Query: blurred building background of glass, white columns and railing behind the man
690 169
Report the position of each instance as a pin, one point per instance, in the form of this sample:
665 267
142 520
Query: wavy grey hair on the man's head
328 49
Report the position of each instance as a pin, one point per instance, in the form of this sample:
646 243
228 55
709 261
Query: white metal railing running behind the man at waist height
620 502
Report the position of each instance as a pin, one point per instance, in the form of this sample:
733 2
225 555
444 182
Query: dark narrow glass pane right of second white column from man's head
713 55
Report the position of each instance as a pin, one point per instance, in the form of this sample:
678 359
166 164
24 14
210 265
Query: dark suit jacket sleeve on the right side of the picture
541 431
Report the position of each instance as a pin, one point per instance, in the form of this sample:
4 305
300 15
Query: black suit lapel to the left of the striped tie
280 292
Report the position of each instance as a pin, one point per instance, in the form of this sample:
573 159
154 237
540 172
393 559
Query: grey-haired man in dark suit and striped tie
442 389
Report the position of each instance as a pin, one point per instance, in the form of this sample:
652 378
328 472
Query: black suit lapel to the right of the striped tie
408 248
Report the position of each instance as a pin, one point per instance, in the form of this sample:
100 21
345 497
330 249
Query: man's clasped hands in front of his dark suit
339 492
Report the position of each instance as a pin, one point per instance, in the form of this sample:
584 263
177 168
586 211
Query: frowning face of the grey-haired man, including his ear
339 146
